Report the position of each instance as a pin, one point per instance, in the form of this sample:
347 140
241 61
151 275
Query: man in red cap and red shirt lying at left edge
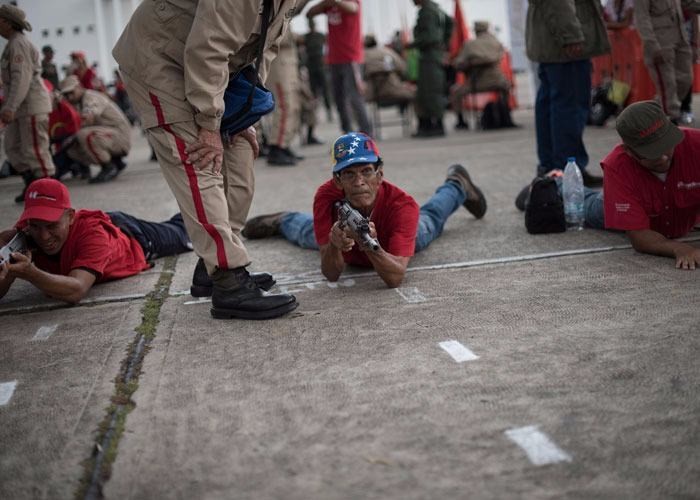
72 250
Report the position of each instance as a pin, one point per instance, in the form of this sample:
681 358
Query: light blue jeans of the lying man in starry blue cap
298 227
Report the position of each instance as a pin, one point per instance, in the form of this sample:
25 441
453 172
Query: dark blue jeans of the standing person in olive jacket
561 112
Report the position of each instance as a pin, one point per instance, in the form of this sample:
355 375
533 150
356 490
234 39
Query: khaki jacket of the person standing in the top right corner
660 22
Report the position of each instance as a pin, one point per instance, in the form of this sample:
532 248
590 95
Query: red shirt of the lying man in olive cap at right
635 199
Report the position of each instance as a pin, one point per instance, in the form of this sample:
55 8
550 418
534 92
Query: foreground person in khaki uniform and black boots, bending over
177 87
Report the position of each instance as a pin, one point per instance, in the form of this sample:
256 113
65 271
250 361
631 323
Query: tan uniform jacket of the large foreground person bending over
207 40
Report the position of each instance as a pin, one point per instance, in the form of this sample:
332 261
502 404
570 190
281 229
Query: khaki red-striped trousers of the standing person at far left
27 145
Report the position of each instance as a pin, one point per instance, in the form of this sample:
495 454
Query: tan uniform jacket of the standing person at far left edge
24 90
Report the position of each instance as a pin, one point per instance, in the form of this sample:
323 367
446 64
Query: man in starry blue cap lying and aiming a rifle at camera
400 227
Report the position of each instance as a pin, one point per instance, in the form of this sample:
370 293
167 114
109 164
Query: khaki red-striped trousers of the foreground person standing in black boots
214 207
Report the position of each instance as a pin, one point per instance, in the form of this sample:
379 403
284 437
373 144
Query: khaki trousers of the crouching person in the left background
98 145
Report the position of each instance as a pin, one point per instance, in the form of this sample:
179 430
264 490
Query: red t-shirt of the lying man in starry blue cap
395 216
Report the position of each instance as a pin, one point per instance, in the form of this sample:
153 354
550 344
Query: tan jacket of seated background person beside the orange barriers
480 58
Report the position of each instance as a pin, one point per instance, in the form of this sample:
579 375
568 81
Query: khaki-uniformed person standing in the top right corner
667 53
